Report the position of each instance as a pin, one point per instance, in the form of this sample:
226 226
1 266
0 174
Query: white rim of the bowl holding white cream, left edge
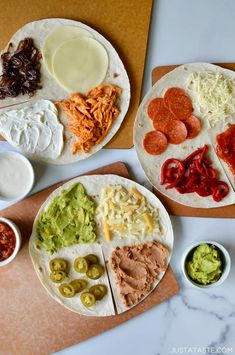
31 172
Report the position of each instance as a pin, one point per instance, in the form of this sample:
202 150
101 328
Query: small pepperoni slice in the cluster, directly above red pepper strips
176 132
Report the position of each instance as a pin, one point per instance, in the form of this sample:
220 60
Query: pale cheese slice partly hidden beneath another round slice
57 37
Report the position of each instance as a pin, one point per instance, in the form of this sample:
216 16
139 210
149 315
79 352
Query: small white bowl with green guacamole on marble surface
206 264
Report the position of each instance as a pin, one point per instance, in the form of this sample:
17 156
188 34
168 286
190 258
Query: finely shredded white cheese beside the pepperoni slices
214 94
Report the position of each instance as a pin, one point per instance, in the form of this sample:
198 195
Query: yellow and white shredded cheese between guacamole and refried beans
126 214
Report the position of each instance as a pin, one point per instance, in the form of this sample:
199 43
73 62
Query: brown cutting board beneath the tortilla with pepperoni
173 207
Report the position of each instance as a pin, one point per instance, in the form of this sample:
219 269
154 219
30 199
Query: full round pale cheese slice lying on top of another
80 64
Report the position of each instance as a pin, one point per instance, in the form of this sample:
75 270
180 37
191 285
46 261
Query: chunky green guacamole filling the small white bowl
205 265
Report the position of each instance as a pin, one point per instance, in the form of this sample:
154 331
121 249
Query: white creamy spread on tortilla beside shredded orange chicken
34 129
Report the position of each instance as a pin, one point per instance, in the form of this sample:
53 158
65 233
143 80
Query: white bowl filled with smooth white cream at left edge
16 176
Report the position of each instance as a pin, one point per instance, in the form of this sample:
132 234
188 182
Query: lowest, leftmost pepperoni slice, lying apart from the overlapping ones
155 142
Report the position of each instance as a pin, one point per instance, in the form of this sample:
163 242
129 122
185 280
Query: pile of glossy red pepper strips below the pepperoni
194 174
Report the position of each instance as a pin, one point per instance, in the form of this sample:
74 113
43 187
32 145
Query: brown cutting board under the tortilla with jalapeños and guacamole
31 322
